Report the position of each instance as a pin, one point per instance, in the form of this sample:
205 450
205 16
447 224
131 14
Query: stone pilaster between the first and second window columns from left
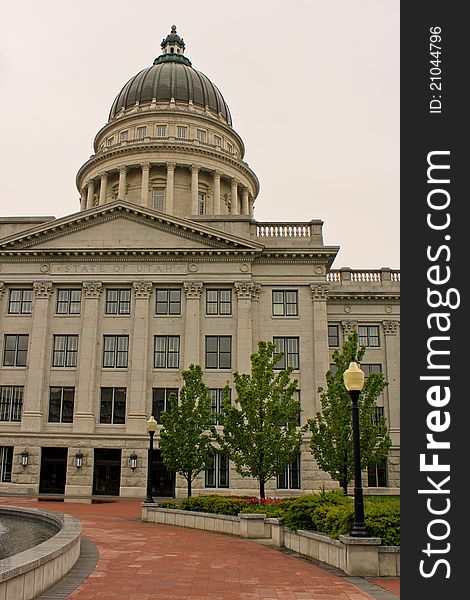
37 353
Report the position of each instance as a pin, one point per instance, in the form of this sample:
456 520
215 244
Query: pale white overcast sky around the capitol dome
312 85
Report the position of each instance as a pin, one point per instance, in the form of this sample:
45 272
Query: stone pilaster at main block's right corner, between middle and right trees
321 354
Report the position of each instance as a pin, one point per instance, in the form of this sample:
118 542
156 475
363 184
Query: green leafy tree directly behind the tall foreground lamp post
331 443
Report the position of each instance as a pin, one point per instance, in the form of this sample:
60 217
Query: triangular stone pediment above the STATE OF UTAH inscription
121 226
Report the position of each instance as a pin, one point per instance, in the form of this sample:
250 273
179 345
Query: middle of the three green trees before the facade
261 434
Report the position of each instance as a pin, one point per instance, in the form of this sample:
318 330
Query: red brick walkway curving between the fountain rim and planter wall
144 561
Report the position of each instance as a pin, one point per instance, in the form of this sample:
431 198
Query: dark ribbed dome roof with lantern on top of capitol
171 77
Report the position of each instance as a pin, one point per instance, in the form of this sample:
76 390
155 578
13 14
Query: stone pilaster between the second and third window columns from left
86 395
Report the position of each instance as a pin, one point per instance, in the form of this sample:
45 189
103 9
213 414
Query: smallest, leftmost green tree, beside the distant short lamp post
186 437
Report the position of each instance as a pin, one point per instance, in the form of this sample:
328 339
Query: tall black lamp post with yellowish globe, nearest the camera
354 382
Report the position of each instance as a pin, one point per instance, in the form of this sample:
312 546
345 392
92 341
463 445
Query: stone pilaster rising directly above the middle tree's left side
246 291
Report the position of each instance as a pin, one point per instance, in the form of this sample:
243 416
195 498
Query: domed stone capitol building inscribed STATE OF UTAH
163 265
